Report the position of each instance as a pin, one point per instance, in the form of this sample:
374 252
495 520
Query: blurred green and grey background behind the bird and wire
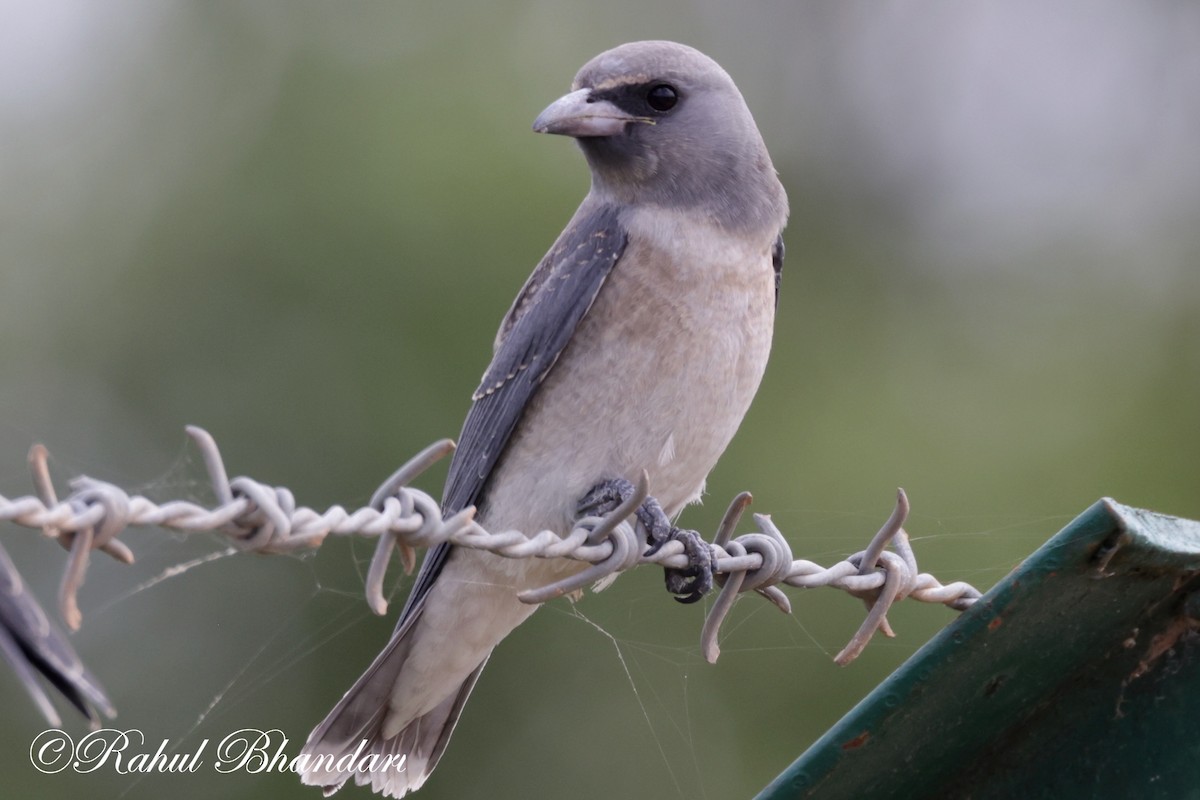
299 224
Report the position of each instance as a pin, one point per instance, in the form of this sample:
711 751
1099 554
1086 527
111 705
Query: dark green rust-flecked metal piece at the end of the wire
1076 677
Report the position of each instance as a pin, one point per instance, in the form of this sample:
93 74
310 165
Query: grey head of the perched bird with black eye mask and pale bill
663 124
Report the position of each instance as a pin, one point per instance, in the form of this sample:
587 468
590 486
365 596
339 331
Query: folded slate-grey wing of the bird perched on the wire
532 336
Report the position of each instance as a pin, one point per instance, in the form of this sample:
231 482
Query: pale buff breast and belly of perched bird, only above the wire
686 350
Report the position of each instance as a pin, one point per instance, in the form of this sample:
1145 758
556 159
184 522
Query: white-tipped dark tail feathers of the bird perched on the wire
350 742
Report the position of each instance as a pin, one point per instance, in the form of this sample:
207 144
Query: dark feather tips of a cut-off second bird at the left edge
33 646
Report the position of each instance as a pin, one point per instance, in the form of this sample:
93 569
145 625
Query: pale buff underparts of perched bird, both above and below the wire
686 353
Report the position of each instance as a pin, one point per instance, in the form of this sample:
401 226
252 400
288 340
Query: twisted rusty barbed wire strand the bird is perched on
261 519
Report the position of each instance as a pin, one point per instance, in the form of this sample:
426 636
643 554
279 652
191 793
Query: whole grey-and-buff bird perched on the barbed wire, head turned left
638 344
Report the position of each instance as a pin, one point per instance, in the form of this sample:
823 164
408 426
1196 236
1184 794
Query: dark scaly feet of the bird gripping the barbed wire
689 584
